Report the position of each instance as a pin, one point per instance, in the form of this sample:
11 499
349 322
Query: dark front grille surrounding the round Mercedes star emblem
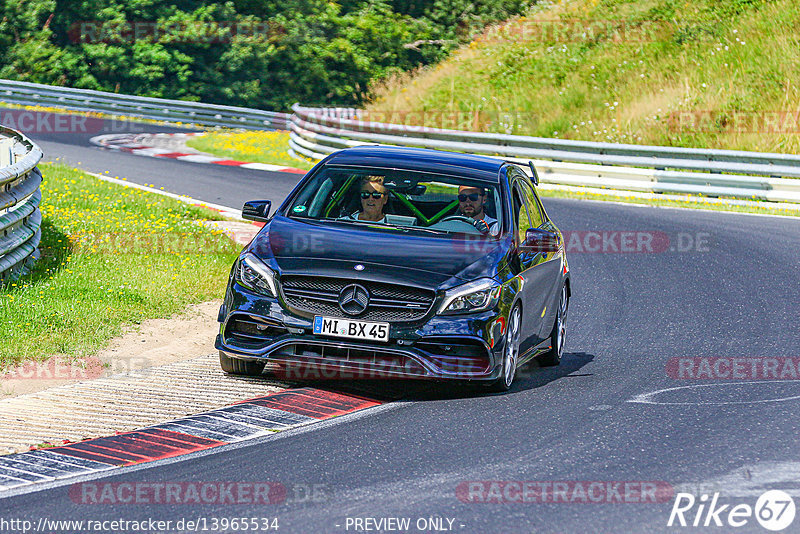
388 302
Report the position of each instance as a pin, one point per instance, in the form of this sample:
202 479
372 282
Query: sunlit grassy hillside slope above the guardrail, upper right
710 73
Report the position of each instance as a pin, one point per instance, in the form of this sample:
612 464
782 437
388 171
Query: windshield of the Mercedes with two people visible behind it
401 198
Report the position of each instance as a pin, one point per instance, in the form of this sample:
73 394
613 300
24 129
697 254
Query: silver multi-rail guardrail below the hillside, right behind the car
315 133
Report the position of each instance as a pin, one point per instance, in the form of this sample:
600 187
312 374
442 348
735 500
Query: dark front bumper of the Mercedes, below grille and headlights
456 347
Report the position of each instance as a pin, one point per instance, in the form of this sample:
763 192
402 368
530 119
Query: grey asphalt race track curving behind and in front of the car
733 293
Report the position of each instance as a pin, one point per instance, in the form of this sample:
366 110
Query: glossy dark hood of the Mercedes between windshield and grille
335 249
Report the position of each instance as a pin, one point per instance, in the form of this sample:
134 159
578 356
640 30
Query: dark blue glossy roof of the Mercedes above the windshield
420 159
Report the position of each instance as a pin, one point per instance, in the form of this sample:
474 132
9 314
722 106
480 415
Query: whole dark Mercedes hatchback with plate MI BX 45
389 262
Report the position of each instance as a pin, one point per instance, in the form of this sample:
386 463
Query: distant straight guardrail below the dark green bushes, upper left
34 94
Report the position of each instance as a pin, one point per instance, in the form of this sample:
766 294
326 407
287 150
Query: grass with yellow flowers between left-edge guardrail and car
111 256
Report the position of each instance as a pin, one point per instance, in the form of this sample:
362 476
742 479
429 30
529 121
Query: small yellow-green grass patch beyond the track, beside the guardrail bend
252 146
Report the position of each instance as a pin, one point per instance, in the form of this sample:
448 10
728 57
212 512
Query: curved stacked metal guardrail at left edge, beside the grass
20 218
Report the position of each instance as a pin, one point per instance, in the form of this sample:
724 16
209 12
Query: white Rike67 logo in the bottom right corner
774 510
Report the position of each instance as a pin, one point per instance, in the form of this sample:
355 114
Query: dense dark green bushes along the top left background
313 51
